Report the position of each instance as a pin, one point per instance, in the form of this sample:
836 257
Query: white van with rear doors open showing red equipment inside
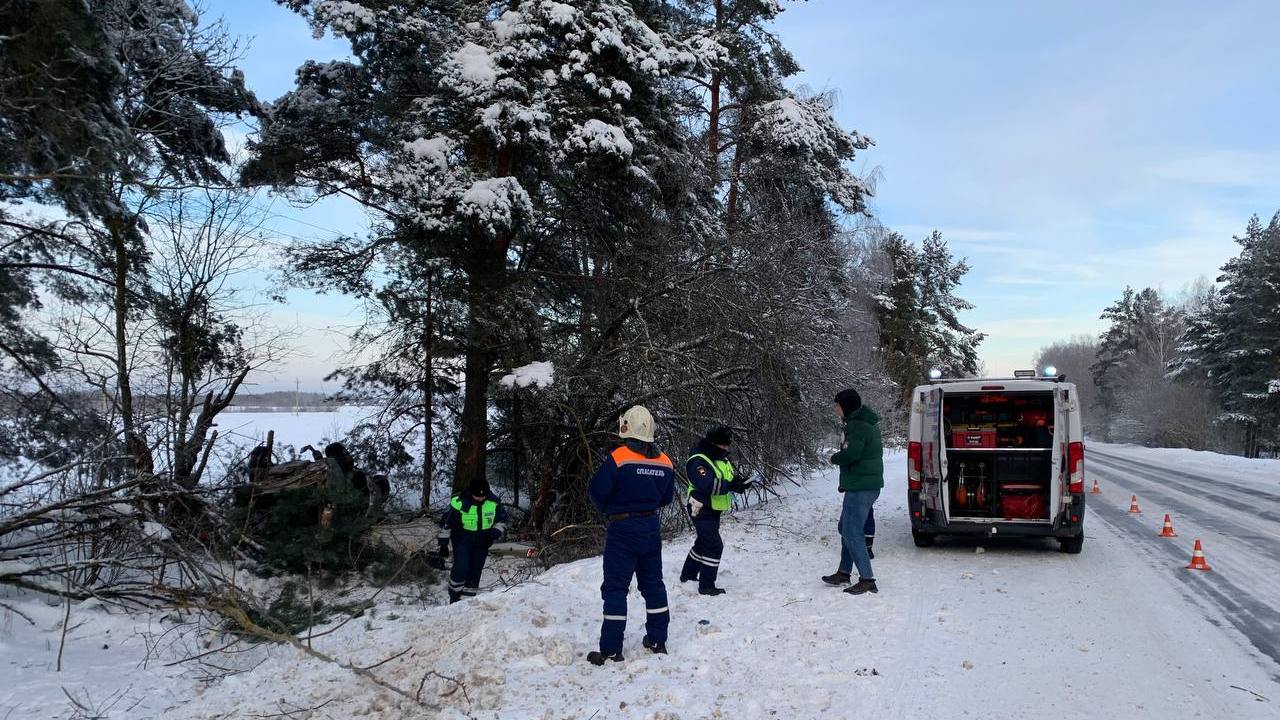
998 458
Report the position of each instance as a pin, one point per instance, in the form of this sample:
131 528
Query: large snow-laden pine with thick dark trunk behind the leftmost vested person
481 125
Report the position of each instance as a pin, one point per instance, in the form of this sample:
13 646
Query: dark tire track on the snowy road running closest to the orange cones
1256 621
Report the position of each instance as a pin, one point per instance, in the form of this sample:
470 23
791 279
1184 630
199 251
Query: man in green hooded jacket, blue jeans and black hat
862 476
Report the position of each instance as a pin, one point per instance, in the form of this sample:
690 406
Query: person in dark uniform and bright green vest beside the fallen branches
474 520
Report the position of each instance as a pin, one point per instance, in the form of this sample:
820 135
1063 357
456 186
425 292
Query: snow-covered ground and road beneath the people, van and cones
1121 631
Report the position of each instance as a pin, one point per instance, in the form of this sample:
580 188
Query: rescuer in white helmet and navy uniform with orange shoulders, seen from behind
633 484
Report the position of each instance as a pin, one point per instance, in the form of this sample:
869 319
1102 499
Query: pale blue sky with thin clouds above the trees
1066 149
